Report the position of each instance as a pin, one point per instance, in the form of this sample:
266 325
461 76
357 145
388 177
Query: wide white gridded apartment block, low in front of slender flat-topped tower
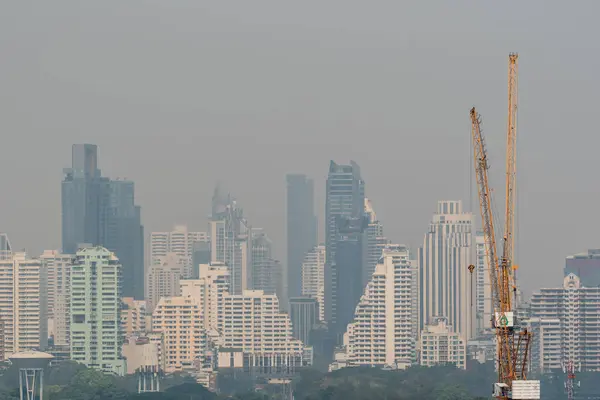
253 323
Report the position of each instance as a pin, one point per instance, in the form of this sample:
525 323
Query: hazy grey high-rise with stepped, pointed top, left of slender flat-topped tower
231 242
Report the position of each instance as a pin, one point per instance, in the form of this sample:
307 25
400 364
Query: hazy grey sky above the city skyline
179 94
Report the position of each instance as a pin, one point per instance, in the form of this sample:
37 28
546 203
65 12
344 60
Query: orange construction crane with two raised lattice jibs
512 341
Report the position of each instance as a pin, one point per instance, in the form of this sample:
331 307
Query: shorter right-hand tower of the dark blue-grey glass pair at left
125 236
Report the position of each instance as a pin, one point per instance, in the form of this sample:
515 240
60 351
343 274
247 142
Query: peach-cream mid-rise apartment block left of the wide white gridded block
179 321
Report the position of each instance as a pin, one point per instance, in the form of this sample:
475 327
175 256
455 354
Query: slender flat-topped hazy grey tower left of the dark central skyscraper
301 228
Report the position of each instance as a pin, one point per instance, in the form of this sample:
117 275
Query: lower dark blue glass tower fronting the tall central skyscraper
348 271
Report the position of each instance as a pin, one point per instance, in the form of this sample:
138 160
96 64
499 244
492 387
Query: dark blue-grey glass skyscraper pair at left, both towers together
102 212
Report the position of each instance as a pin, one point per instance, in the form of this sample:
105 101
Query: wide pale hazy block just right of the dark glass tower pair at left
179 241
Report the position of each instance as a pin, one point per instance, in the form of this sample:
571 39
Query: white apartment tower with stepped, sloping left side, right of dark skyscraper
382 334
